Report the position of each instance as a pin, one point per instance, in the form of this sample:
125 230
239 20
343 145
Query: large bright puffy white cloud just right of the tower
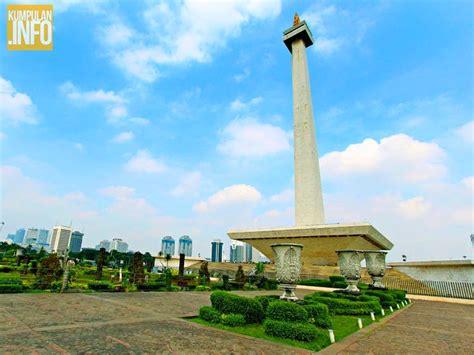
396 157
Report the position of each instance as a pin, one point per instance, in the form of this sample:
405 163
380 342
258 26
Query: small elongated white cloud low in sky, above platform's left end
231 195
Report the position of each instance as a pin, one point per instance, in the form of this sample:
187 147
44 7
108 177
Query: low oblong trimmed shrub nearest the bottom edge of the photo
290 330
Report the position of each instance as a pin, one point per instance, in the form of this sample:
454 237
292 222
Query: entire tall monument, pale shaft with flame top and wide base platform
320 240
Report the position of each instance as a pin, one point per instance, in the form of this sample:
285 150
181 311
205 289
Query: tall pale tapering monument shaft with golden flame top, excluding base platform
309 209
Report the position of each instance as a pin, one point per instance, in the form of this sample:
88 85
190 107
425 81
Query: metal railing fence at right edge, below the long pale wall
451 289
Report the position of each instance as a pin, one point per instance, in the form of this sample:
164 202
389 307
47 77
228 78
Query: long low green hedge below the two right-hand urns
345 304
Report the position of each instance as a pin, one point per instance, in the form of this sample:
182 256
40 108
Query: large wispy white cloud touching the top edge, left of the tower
188 31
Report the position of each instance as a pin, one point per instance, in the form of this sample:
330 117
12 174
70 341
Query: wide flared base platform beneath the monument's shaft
320 242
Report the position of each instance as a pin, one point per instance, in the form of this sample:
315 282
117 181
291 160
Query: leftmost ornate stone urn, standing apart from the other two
287 258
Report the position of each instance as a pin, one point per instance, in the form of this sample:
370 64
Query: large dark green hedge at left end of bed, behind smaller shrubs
229 303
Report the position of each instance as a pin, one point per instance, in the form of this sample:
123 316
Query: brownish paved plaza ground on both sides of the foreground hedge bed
137 323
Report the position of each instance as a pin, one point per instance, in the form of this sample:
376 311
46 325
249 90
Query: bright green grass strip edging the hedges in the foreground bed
342 326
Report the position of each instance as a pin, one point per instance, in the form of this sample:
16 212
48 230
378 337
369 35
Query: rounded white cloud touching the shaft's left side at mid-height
249 138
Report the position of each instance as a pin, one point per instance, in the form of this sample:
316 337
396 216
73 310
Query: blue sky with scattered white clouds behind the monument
154 118
